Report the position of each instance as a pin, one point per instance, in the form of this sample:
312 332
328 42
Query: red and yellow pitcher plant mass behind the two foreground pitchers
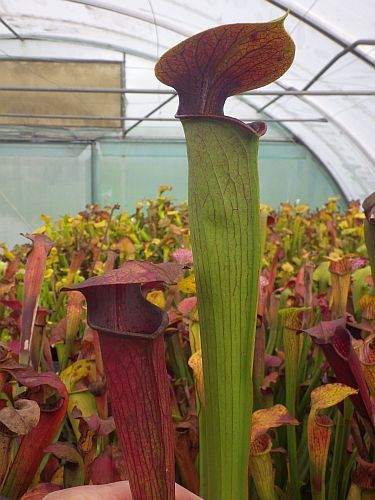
72 412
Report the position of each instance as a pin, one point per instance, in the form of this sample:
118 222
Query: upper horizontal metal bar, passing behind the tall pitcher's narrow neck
328 93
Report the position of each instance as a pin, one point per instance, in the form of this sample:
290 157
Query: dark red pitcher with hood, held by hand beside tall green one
131 339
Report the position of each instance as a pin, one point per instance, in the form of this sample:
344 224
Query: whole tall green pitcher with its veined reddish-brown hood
224 219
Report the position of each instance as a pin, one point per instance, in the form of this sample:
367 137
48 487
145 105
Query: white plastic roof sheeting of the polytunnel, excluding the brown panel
146 28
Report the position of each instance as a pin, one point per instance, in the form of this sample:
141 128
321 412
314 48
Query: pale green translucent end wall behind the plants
56 179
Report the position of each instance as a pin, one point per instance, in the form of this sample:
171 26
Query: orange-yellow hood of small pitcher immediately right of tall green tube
269 418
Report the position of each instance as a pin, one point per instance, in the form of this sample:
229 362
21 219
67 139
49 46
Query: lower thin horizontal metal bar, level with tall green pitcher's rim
141 118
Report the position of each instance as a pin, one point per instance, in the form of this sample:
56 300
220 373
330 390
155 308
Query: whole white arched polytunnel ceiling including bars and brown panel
326 100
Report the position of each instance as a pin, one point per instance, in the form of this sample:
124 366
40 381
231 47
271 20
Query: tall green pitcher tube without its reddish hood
224 221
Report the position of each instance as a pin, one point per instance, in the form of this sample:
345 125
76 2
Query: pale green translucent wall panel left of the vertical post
35 168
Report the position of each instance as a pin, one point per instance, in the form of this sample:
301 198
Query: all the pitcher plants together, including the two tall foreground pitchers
221 344
